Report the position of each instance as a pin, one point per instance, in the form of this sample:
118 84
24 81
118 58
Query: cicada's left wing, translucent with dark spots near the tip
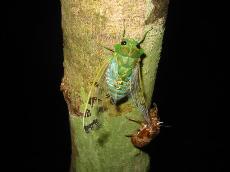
94 105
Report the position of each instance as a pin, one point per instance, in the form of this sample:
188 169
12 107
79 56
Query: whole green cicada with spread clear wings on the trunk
118 78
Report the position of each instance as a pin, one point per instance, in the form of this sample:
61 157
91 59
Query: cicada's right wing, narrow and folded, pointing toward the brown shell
137 93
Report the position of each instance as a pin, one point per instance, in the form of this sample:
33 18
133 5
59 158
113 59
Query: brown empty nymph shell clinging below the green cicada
148 131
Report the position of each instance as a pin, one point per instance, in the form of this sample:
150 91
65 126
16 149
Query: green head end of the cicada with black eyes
129 48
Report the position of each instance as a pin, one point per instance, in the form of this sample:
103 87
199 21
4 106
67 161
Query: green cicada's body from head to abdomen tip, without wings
119 73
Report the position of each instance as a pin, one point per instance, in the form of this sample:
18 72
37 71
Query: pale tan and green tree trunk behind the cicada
86 25
